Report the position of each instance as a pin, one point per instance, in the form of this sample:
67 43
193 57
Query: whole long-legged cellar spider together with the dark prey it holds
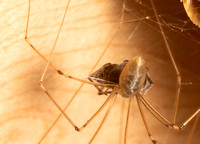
131 80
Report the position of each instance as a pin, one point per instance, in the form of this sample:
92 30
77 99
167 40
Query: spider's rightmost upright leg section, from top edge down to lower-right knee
174 64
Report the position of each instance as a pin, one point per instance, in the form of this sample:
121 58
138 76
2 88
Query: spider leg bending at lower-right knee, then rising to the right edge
169 124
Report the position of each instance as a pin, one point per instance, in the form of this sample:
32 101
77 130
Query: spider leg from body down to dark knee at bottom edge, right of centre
144 119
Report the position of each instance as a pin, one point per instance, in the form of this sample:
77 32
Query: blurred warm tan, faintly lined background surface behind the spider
25 110
